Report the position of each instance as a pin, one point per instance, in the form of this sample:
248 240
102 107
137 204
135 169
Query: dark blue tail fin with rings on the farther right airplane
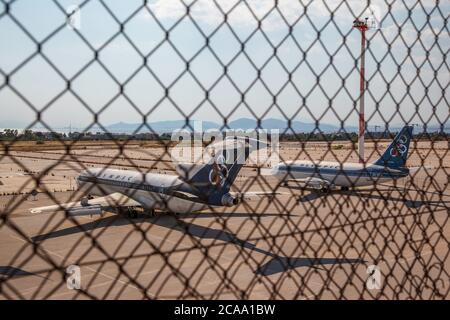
397 152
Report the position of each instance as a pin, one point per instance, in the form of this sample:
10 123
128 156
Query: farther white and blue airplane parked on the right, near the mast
325 175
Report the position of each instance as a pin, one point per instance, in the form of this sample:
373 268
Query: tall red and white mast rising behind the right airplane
363 27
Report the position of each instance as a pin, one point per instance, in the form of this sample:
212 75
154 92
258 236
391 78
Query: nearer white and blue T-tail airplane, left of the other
196 187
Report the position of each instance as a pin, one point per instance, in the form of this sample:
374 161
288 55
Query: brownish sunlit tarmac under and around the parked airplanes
297 245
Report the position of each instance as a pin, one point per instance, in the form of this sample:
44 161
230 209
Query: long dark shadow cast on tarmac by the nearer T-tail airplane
277 263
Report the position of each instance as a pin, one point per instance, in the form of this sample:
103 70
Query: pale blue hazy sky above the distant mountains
407 61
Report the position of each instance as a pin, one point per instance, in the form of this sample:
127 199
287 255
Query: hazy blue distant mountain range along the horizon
242 123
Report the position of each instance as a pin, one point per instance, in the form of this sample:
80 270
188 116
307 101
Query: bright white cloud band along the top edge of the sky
247 13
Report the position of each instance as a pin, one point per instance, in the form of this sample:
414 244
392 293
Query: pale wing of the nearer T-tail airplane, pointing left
111 200
